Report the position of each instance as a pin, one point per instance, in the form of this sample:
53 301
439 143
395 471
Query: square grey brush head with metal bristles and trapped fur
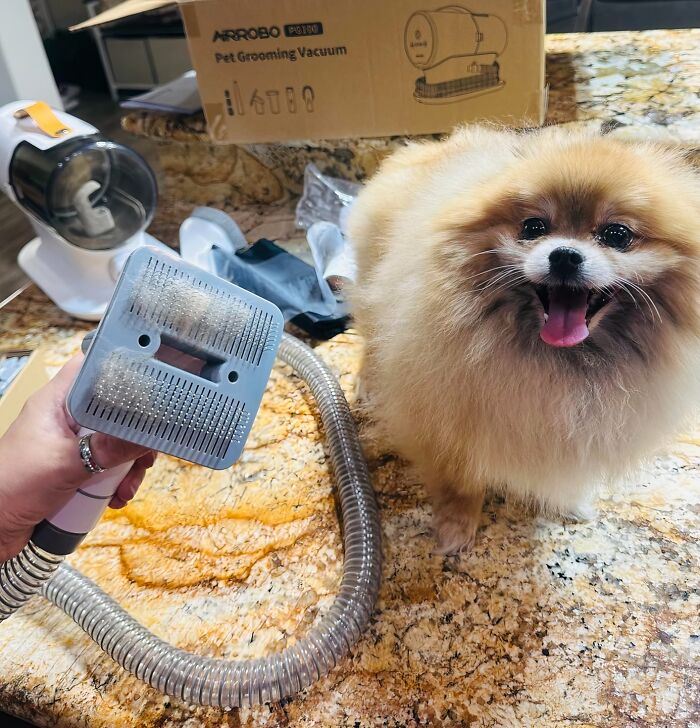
179 362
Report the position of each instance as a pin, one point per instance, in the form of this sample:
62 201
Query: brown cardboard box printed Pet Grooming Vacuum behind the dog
309 69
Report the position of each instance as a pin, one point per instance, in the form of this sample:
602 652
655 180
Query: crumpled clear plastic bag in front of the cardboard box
325 199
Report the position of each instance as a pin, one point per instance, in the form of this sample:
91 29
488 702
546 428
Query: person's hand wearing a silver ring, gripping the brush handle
40 466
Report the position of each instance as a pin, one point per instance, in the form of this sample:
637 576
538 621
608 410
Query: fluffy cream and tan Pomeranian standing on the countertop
530 305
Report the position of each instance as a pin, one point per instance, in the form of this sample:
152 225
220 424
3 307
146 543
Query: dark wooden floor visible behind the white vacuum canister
15 229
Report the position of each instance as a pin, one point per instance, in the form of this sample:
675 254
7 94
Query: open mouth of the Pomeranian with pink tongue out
568 313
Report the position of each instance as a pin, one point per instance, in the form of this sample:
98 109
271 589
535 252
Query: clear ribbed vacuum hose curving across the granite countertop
233 683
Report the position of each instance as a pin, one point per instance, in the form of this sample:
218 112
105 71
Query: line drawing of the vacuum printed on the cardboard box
457 50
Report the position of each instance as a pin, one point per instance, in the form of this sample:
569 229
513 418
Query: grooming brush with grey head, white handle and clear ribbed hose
179 363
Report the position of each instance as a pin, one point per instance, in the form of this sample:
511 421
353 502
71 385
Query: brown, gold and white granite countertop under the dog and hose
543 624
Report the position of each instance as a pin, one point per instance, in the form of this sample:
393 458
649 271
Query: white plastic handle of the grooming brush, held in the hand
63 532
